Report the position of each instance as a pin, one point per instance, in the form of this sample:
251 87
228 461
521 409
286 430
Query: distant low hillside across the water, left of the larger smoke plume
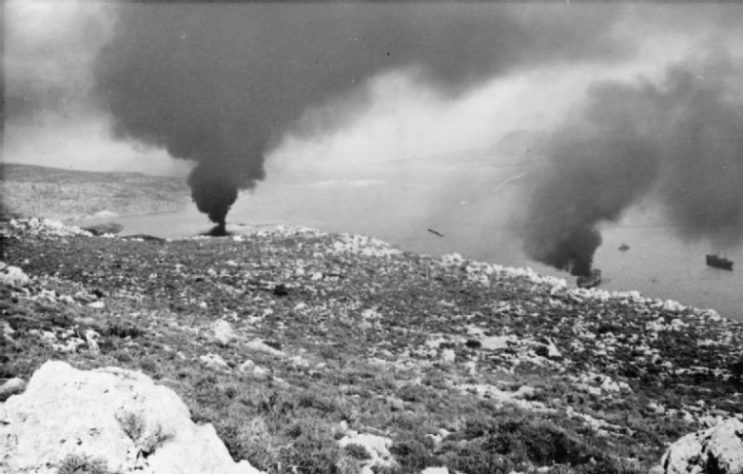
66 194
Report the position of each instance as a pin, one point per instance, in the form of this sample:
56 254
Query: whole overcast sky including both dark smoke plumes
620 104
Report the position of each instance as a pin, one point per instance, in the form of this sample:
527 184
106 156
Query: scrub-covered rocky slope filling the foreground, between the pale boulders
323 353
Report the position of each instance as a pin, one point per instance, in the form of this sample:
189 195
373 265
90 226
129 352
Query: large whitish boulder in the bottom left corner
113 419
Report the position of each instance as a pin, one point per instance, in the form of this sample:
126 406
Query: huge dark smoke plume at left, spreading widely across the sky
220 83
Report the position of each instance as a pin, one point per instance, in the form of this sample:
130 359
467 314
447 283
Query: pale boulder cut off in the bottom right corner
718 450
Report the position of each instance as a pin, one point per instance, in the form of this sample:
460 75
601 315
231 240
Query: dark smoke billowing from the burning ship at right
679 141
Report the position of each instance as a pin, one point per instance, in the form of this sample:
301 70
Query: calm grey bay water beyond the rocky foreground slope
657 264
